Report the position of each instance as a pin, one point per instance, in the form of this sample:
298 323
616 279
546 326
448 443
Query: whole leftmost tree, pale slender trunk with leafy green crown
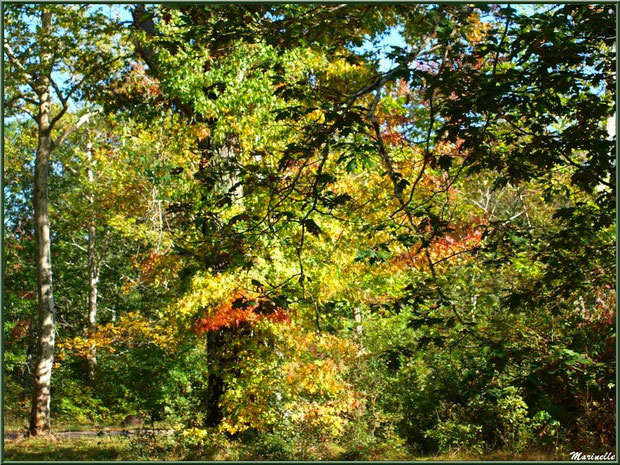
54 55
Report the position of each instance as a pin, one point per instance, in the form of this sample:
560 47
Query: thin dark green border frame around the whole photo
127 2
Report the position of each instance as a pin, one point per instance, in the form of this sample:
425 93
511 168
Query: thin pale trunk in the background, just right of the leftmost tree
93 272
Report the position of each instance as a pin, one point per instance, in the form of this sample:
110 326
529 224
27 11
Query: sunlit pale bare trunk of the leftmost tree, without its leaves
40 413
